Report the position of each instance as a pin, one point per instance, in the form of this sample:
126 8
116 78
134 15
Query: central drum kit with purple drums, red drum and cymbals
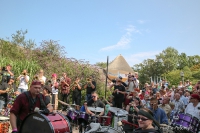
83 120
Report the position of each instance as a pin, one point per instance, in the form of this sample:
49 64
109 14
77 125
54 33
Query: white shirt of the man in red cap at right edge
194 111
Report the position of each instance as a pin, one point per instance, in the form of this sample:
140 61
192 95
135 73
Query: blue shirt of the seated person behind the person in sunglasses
160 116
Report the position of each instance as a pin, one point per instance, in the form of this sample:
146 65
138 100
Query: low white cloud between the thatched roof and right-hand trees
139 57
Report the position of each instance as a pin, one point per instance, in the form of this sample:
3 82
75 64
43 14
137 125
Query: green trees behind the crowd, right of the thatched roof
168 64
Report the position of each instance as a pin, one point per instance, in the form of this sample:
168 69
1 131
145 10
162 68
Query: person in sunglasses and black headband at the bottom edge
147 123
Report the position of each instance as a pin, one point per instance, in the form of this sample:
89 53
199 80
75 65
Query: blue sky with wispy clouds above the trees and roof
95 29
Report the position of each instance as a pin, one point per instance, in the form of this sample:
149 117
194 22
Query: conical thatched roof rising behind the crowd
119 65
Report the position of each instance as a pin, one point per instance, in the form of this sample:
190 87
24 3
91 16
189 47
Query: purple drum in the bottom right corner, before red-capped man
182 122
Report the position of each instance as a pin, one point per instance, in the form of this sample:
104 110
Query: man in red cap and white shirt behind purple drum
194 105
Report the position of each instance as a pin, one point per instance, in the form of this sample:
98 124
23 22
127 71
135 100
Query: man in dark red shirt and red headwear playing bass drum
25 103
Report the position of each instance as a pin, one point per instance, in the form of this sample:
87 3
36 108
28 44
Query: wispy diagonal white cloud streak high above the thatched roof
124 41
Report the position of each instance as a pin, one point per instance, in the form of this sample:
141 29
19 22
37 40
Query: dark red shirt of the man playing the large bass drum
21 105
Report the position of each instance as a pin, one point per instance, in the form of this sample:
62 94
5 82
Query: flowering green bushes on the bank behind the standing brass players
49 55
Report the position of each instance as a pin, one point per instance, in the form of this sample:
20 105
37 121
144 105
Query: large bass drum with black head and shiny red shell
40 123
